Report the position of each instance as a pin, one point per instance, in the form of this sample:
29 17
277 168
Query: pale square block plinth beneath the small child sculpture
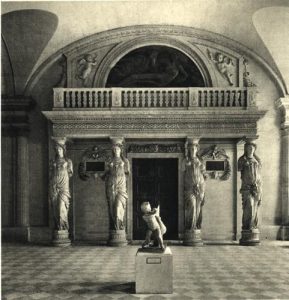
154 271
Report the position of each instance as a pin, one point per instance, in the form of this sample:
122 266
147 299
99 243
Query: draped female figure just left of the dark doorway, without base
116 187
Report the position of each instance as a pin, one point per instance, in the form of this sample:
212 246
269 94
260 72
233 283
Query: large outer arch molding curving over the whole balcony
118 35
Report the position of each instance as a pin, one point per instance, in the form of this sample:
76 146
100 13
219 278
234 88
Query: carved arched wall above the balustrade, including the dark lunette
89 62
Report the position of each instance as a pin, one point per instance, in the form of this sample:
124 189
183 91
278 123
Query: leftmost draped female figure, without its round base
60 171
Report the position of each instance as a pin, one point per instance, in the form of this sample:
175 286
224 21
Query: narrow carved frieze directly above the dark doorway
155 148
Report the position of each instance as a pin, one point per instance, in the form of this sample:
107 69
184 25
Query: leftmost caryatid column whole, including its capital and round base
61 170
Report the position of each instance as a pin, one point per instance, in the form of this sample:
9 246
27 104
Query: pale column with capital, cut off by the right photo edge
283 105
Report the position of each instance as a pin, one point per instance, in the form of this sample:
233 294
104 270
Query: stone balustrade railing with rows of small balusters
130 98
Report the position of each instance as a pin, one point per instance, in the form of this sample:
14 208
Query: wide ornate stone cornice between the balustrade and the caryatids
180 123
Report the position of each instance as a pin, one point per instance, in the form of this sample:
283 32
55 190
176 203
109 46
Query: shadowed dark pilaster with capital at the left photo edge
15 124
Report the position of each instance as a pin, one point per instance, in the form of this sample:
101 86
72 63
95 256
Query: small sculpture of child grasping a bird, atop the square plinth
156 228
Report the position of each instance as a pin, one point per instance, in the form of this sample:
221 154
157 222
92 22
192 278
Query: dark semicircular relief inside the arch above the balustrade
155 66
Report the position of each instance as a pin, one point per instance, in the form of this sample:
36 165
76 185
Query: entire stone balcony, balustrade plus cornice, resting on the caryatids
154 112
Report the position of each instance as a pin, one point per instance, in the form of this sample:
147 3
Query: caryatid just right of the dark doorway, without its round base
194 185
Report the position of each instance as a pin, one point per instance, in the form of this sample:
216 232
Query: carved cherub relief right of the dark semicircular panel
224 65
